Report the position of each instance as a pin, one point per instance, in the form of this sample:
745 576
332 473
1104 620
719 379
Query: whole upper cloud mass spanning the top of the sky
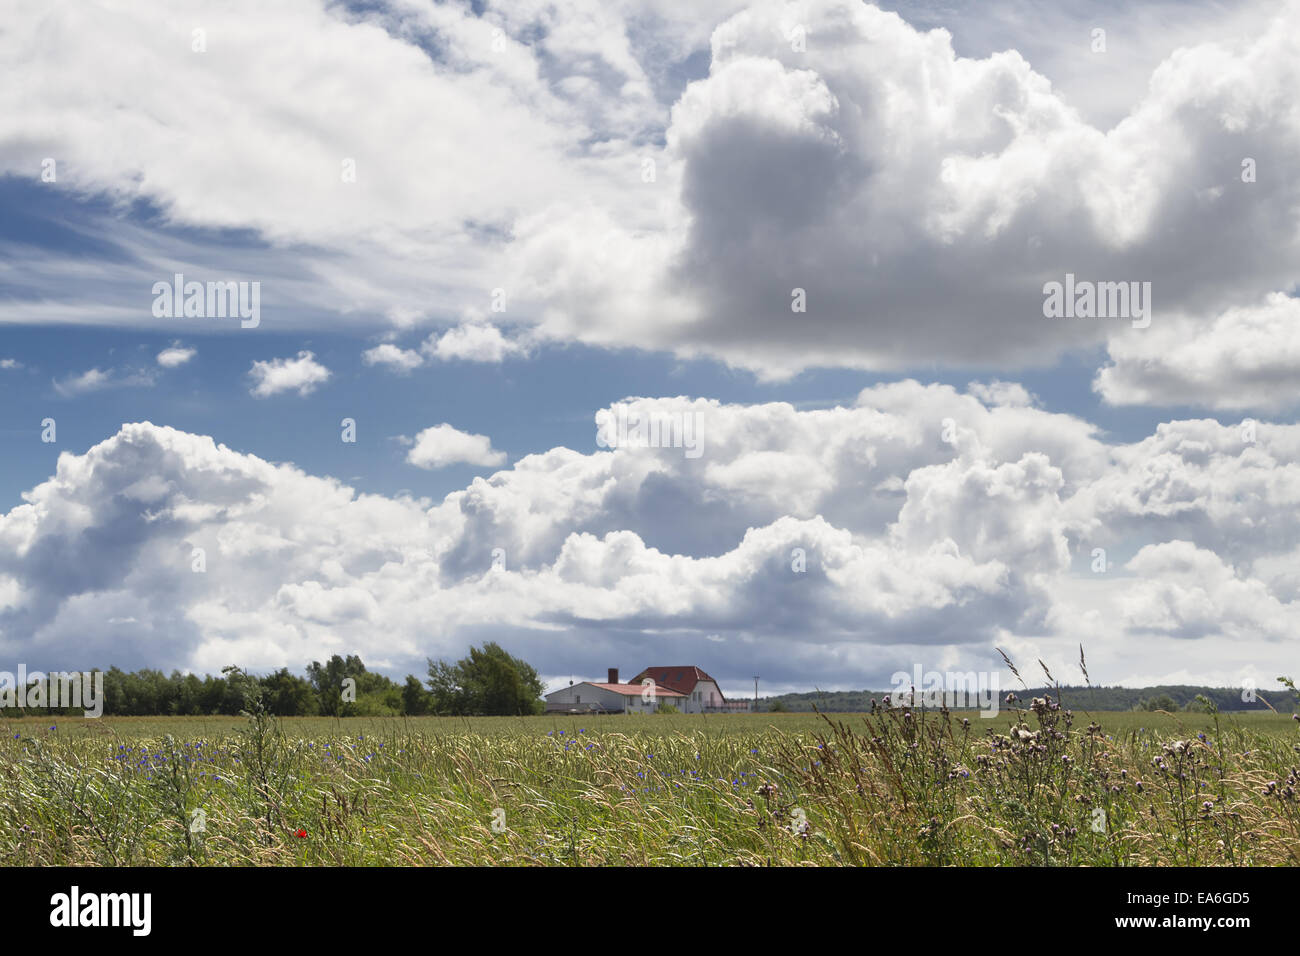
920 198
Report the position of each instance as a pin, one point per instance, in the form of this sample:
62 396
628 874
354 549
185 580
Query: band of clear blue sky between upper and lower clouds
526 405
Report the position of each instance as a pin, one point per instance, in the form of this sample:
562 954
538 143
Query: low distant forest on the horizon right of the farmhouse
1164 698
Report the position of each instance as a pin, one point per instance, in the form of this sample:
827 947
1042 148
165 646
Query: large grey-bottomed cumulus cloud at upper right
921 201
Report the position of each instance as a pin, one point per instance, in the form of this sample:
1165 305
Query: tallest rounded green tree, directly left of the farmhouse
488 682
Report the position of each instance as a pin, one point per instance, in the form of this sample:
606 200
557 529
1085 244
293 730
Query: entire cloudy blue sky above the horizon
340 328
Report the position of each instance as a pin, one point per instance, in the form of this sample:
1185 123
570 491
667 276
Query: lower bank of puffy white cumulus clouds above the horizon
918 524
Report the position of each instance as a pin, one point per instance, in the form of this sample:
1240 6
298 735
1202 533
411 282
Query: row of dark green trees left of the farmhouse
487 682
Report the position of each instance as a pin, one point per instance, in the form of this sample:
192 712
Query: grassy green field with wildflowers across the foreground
1034 786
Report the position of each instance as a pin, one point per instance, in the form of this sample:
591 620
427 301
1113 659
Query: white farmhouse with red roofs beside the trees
687 689
